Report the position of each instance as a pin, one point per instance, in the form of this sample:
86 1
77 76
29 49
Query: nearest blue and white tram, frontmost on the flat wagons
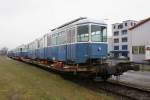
79 41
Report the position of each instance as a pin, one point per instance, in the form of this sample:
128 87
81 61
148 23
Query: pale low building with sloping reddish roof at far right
139 40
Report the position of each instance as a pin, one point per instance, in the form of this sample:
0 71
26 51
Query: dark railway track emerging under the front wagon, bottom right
122 91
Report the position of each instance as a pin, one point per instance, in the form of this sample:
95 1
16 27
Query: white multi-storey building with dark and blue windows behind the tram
120 38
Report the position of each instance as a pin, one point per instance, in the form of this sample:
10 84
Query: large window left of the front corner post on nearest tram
83 33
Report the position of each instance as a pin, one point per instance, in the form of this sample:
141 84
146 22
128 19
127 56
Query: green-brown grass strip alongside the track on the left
20 81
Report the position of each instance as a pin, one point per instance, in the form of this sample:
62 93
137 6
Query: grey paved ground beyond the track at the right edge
137 78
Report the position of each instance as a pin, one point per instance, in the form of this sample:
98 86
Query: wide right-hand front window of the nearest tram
98 33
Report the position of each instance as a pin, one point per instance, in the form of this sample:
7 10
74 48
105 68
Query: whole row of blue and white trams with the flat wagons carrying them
78 47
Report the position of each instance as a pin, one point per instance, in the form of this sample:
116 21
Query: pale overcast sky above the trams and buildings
22 21
